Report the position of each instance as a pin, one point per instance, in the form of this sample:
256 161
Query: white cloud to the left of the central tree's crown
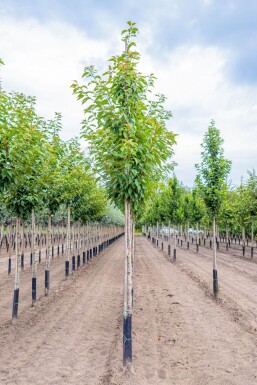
43 60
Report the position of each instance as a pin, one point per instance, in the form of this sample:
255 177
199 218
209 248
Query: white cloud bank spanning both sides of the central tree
43 59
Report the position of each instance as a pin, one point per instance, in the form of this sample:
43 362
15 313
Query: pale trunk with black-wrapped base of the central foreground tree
127 310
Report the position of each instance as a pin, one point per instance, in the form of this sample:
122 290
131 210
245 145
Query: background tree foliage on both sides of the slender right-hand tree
185 207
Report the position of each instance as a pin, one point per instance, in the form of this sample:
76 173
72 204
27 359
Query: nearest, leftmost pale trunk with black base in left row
17 271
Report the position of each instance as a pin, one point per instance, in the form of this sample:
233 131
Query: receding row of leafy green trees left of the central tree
39 171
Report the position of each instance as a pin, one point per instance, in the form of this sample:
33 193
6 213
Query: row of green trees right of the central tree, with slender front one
212 202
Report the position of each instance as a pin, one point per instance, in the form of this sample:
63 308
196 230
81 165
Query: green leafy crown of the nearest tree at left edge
22 154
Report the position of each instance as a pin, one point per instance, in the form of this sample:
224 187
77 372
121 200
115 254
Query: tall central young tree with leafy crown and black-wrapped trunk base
129 143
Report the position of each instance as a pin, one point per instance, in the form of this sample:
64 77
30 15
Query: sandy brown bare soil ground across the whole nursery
182 335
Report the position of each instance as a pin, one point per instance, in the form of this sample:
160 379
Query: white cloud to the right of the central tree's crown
195 82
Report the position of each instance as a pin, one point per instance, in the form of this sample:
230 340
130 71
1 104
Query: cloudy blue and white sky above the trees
203 53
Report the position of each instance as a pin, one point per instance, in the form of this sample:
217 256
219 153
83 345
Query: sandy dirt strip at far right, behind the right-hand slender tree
237 282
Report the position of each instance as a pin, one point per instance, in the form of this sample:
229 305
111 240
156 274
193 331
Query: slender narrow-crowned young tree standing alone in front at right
211 180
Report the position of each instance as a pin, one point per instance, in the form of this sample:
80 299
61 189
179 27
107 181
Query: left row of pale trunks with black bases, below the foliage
78 245
